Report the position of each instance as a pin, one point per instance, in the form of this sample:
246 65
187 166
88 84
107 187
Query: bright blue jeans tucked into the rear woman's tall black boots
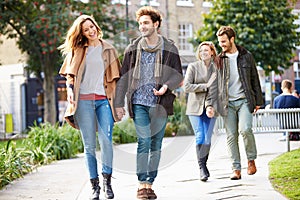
203 127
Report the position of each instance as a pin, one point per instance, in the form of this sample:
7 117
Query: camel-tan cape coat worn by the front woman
73 68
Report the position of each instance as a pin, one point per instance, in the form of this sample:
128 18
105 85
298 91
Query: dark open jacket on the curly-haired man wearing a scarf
171 76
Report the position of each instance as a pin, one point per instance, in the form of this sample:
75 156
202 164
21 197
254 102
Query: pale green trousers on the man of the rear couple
239 121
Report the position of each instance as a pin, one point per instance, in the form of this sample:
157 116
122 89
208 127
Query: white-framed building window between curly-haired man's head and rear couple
185 33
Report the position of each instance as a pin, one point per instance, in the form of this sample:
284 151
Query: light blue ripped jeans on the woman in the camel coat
92 114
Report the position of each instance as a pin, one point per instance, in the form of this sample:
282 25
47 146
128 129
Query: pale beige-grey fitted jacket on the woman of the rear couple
195 80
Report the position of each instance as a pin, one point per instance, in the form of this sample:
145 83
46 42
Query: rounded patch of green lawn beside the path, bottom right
285 174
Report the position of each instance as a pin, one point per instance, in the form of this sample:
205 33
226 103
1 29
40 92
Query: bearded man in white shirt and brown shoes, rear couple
239 96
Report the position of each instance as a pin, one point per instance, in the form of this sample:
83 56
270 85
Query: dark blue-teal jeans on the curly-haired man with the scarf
150 129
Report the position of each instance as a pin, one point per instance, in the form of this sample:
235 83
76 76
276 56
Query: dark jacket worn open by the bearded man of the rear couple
248 74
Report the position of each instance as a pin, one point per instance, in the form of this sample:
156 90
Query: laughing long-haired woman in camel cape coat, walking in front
91 68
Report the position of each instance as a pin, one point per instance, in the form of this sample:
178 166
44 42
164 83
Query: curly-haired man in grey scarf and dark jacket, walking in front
151 69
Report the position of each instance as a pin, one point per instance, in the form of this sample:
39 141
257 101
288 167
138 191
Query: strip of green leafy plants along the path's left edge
44 144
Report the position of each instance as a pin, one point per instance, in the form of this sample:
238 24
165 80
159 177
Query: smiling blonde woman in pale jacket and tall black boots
198 80
